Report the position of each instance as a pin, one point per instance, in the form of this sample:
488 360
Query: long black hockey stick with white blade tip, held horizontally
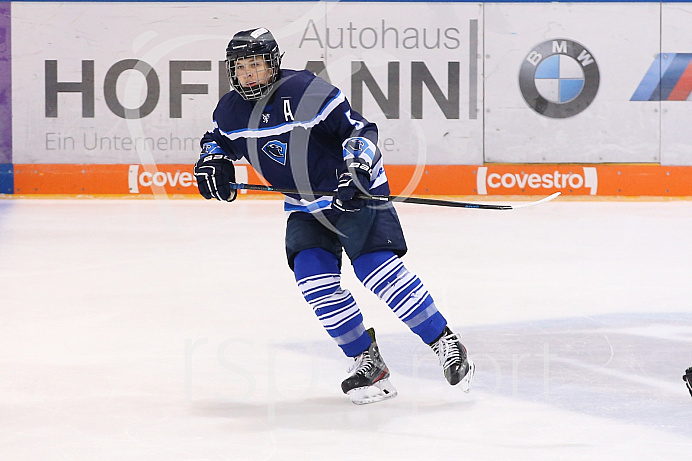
395 198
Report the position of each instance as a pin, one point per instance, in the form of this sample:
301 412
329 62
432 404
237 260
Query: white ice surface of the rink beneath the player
173 330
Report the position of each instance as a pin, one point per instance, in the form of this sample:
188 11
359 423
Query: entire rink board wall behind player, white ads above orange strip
450 85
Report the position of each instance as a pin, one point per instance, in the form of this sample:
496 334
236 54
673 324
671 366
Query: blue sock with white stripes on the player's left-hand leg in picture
319 279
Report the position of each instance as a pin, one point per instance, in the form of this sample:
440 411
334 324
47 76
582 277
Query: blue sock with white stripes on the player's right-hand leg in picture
383 273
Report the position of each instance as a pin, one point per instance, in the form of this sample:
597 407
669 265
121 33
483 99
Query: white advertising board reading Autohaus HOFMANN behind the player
137 82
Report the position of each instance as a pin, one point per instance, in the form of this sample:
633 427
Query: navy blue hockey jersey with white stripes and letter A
294 137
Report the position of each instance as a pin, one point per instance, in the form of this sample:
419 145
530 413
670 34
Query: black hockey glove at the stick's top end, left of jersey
214 174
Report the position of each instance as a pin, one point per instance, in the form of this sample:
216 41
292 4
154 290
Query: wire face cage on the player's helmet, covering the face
264 67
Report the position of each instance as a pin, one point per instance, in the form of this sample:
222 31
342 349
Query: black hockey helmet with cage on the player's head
260 44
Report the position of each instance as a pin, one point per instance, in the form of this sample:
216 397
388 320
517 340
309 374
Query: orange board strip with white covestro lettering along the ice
569 179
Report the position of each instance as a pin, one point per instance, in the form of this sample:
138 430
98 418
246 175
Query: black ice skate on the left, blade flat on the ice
369 381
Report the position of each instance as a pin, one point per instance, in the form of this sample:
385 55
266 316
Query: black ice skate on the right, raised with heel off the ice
458 369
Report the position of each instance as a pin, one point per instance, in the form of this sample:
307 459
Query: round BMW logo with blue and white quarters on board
559 78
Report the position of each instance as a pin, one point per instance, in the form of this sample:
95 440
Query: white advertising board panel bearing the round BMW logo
559 78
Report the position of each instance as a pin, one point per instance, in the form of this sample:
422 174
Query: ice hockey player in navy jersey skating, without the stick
300 133
